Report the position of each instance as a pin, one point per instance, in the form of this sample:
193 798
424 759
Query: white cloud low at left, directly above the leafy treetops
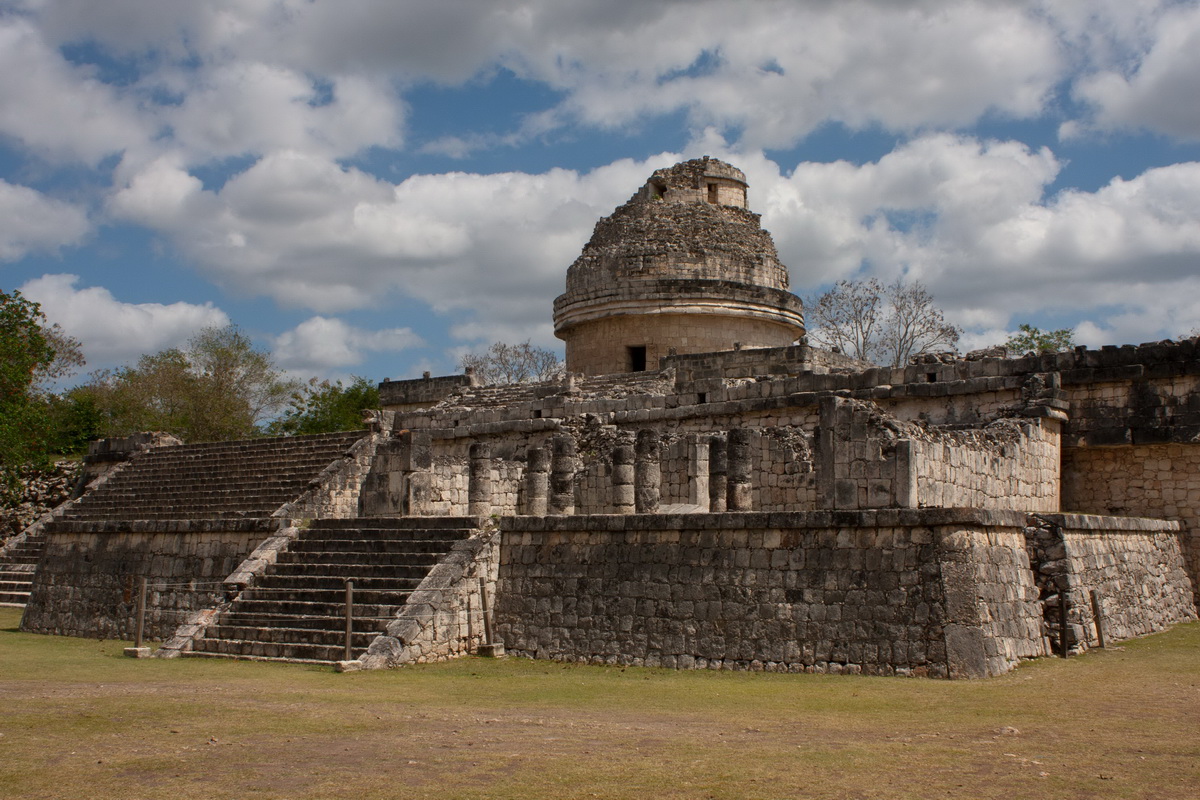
115 333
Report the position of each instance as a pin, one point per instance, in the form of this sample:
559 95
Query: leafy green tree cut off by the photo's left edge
32 356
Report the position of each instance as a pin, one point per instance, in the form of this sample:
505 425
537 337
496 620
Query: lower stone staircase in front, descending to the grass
296 611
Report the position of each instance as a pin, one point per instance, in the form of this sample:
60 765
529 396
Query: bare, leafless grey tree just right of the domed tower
878 323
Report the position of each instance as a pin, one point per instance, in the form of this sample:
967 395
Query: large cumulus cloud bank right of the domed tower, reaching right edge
971 221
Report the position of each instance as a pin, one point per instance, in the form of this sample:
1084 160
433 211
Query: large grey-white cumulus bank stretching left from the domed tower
310 233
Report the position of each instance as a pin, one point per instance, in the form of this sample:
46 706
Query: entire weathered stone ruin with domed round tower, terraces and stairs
722 497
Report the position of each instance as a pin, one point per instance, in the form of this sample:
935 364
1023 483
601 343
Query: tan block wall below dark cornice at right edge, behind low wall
1142 480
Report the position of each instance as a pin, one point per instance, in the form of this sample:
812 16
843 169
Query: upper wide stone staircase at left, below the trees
214 480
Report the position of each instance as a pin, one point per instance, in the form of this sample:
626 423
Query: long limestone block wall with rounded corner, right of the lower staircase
925 593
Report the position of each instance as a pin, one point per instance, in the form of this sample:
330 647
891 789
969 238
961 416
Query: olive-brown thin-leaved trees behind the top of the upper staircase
219 387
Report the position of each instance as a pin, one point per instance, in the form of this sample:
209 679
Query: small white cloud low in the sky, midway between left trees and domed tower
325 344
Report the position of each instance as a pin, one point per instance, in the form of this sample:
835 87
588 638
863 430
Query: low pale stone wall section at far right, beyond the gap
1135 564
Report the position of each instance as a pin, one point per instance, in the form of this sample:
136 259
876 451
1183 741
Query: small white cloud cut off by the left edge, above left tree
33 222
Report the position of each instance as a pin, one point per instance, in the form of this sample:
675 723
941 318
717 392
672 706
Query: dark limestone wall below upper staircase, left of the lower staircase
87 584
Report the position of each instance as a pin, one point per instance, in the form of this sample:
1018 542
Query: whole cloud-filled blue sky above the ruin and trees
376 188
